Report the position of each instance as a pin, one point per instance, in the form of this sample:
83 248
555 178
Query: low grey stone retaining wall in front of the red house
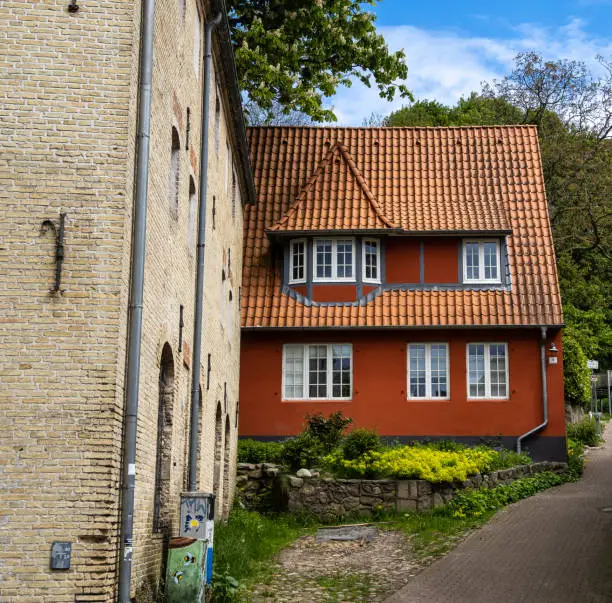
330 498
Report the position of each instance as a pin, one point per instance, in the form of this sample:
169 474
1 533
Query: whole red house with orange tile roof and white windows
407 277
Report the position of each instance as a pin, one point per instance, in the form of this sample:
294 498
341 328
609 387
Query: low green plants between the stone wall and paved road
476 503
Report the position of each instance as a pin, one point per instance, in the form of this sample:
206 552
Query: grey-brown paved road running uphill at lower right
553 547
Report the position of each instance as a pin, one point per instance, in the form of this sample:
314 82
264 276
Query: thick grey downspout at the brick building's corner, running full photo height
139 230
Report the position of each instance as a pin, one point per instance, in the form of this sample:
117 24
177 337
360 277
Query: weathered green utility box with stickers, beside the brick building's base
186 575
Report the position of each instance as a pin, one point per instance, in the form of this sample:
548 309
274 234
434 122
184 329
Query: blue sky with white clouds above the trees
452 47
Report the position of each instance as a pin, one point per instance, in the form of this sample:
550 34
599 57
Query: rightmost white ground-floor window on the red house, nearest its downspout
487 370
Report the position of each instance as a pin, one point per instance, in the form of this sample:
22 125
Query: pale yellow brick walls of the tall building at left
69 96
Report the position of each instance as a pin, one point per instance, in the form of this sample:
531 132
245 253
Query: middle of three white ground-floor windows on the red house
428 375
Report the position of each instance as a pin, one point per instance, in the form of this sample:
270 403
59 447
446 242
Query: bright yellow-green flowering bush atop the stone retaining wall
418 462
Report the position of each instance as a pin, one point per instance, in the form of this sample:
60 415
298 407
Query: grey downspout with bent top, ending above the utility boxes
199 289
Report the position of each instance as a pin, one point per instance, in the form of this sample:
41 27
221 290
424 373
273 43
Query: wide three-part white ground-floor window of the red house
318 371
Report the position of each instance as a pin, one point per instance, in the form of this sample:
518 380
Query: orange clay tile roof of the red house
416 180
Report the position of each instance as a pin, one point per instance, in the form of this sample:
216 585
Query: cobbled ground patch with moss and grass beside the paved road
310 571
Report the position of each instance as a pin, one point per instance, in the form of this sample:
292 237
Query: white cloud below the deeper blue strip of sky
445 65
